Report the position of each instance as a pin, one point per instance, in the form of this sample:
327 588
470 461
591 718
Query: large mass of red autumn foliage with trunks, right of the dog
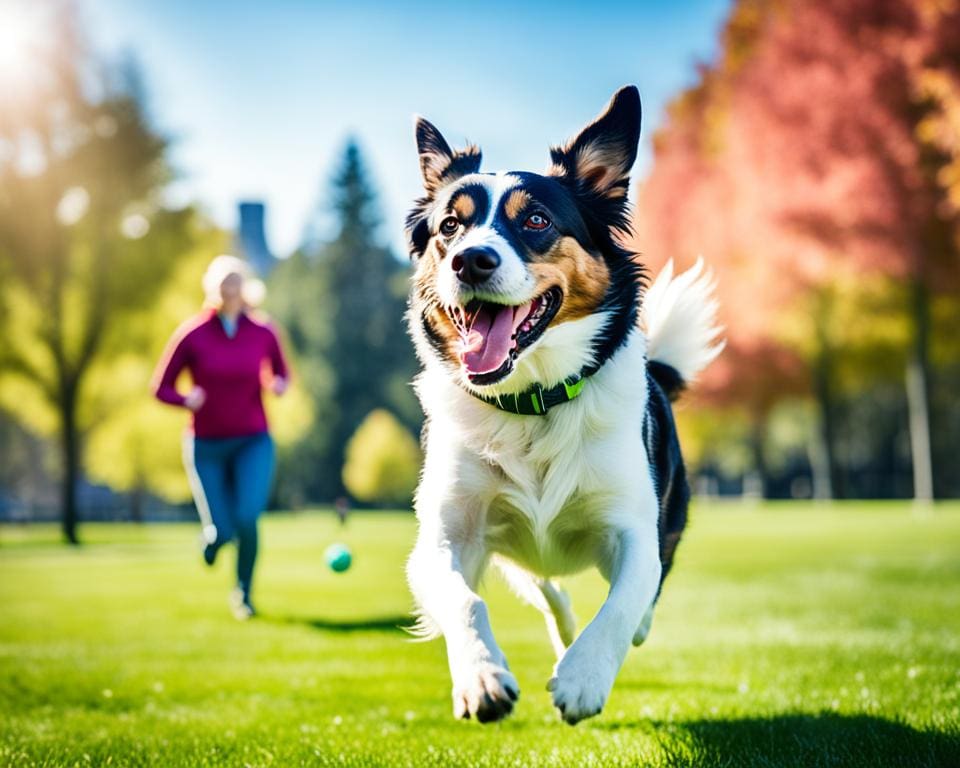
829 155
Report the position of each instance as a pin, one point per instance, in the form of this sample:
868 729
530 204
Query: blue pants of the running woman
230 478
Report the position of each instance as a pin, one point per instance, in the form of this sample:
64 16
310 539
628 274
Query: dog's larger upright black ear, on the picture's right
598 160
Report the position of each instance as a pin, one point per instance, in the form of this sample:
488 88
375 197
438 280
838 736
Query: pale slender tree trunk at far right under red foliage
918 401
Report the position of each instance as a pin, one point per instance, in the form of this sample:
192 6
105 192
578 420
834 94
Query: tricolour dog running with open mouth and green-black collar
549 438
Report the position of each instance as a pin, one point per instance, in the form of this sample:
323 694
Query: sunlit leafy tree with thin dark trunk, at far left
78 200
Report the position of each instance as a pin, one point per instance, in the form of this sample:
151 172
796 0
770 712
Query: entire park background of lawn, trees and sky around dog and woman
809 150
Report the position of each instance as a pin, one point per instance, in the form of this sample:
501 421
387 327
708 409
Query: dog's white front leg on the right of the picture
584 676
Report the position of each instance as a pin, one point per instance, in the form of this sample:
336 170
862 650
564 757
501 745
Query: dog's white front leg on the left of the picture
442 576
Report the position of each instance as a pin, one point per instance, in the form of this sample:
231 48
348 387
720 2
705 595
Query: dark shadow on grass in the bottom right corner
803 741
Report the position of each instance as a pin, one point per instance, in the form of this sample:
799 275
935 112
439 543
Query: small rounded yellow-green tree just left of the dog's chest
383 461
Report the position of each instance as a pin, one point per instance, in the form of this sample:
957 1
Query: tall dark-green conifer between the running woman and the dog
343 305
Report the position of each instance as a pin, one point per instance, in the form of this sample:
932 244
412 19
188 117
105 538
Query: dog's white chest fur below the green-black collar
548 491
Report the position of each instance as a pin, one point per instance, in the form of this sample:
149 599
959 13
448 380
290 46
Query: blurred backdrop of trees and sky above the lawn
809 151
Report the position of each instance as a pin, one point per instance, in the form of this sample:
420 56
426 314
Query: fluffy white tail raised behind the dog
679 315
